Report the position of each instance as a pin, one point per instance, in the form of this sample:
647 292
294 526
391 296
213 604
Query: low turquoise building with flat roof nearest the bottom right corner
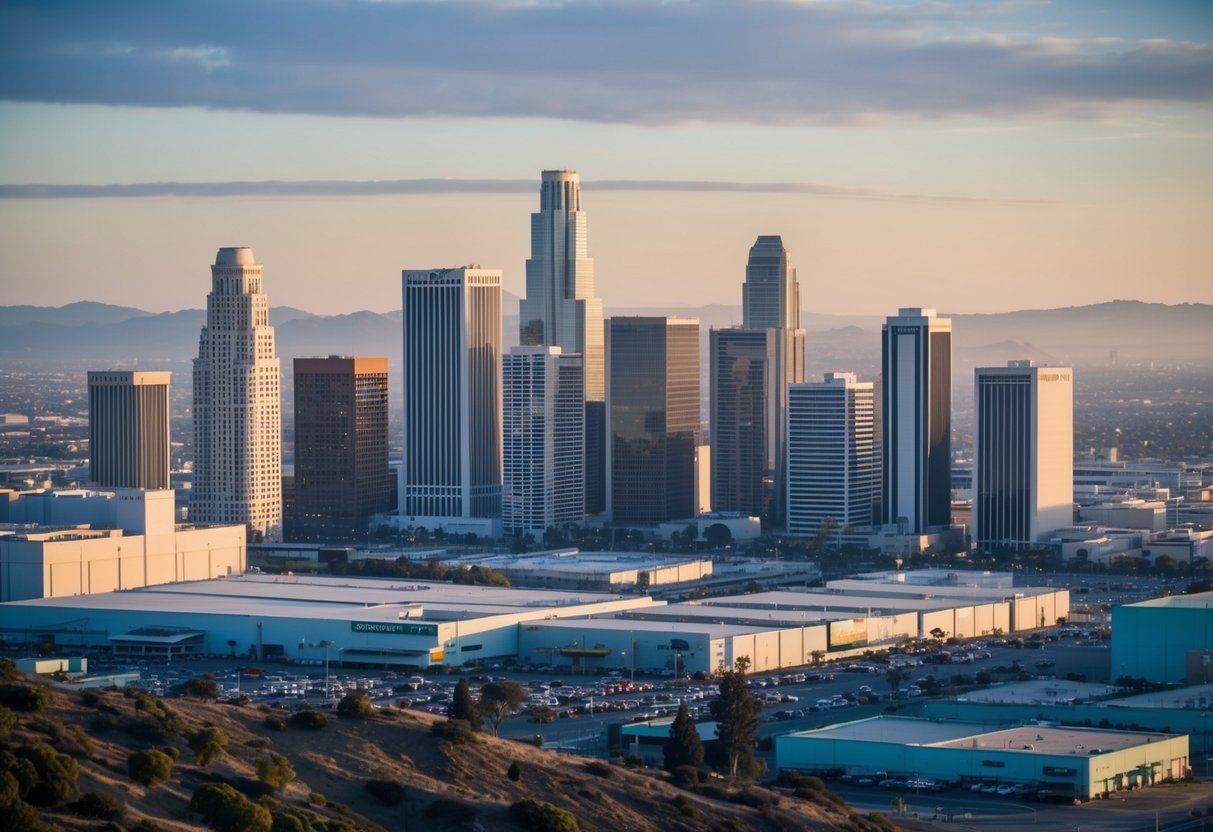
1070 762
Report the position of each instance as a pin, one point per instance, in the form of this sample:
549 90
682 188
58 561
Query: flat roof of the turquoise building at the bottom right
1032 739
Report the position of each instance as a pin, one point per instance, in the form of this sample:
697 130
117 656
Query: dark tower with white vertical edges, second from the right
916 366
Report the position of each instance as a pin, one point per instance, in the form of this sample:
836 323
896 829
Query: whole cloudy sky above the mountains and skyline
971 157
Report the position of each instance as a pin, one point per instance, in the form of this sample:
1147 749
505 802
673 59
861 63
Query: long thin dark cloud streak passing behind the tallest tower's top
407 187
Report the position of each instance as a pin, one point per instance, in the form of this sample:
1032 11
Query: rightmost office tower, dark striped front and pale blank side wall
1023 464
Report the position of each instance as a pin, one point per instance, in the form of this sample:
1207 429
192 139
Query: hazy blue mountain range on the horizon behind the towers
102 335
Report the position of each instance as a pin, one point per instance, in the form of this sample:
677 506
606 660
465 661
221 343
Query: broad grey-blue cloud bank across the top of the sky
636 61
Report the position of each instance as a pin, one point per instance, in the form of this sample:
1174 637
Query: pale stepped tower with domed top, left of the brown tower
238 464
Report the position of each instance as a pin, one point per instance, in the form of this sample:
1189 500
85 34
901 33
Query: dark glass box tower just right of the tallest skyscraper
653 418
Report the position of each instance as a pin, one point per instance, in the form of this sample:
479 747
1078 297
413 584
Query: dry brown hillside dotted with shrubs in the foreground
428 783
